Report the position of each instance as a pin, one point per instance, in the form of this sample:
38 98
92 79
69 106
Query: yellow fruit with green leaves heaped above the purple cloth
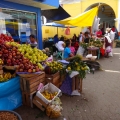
77 65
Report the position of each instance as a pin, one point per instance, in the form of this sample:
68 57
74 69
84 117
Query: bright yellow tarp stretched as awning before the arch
84 19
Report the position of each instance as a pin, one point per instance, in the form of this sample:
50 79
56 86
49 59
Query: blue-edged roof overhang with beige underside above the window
47 4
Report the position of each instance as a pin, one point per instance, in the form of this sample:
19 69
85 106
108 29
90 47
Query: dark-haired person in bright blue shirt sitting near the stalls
67 51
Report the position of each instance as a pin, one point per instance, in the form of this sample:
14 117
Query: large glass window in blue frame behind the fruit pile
19 24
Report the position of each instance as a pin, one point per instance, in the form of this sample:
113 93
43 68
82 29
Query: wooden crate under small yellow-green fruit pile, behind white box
53 78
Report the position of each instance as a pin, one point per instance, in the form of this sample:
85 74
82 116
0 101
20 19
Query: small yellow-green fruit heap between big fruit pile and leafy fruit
53 67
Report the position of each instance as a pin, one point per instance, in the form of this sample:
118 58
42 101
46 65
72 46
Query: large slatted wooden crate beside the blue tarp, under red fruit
30 84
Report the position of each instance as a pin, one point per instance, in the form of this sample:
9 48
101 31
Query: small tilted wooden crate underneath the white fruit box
39 103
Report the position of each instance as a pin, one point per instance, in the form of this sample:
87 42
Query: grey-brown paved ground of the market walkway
100 99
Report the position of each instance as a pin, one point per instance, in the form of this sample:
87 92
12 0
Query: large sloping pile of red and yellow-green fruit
26 58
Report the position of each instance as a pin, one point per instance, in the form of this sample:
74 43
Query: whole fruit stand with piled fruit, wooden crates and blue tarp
26 72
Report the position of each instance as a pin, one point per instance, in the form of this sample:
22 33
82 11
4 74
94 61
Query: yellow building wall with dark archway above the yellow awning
109 11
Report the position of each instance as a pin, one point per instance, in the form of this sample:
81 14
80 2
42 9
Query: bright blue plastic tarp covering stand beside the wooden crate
10 94
